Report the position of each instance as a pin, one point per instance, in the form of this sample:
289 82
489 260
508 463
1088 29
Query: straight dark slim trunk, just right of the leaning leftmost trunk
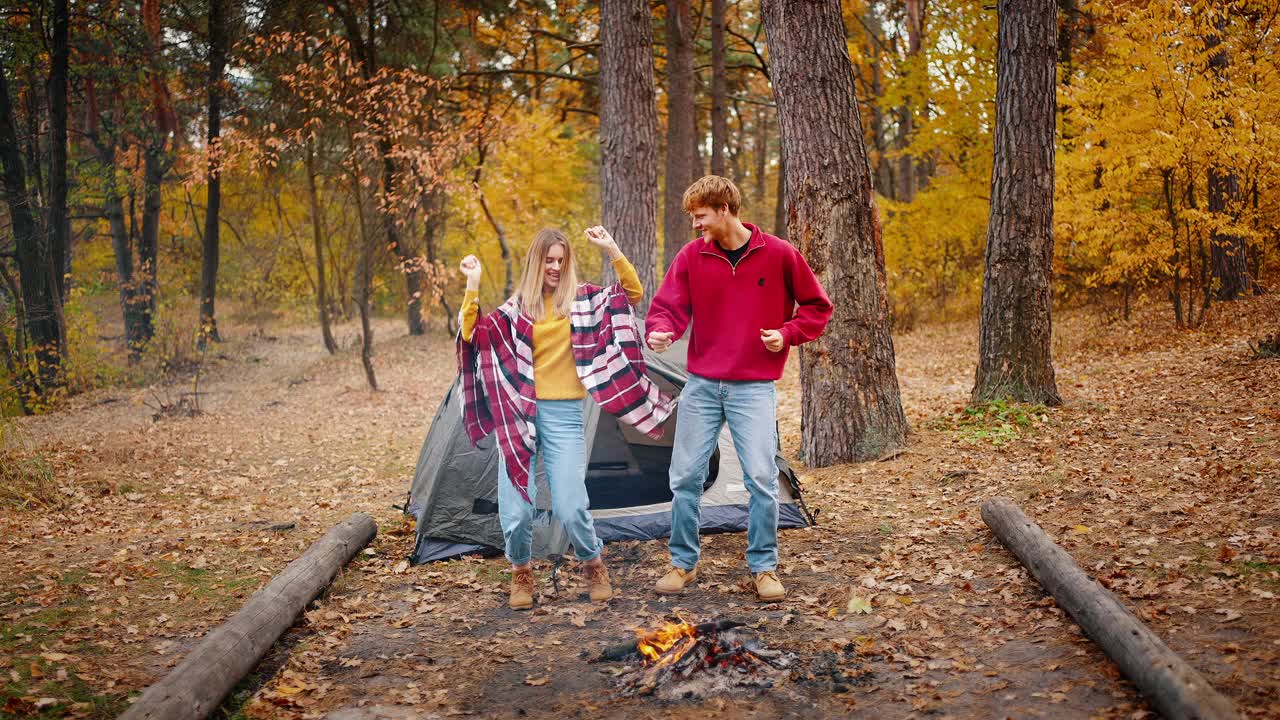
60 220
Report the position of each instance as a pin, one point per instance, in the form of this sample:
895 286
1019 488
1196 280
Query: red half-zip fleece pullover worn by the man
772 288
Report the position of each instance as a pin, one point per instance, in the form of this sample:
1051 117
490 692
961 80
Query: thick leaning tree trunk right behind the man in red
852 408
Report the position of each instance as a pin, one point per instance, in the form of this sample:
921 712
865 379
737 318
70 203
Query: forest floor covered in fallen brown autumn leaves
1159 475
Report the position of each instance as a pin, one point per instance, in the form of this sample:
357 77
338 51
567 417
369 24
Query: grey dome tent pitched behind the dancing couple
455 491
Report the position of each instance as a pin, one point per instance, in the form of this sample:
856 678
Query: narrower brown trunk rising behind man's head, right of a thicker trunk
683 162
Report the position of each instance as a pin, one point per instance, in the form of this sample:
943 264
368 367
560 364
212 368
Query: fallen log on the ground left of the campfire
198 686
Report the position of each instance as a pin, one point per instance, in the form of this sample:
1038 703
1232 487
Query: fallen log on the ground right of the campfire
1172 686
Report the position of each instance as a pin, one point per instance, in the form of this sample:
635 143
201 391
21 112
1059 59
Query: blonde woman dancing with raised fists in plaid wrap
524 379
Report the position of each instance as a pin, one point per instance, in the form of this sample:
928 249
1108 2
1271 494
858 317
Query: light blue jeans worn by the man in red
751 411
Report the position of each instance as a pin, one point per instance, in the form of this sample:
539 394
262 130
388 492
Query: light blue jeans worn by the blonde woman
563 446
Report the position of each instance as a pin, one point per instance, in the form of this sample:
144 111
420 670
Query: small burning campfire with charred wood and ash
682 660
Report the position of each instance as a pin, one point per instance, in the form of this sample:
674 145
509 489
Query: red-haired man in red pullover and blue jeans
746 298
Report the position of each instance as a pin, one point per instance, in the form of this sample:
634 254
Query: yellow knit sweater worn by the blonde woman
555 375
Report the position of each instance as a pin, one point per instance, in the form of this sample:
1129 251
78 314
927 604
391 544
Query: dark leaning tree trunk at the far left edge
42 309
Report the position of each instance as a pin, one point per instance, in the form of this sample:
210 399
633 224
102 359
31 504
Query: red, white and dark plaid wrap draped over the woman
497 370
